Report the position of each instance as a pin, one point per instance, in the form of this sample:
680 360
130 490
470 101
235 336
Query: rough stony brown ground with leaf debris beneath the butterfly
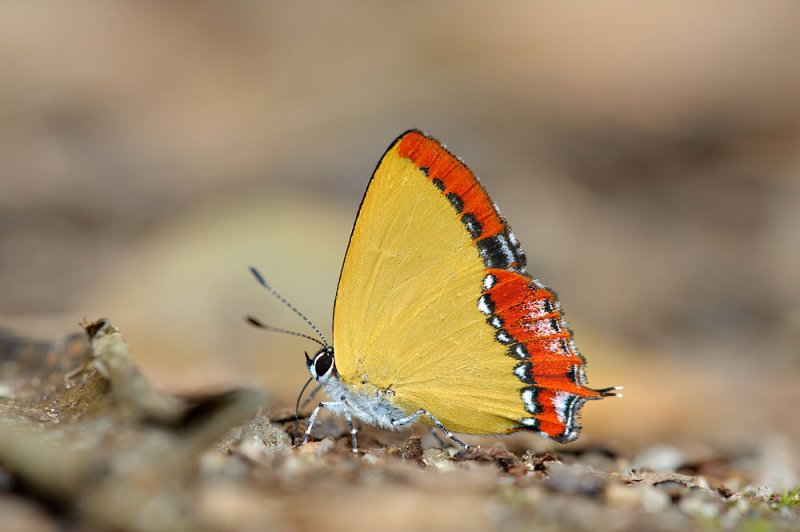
86 443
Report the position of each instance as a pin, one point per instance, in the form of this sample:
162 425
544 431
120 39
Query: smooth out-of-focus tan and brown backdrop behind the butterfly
647 159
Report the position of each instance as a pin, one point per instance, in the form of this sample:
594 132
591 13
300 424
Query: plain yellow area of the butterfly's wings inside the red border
407 315
